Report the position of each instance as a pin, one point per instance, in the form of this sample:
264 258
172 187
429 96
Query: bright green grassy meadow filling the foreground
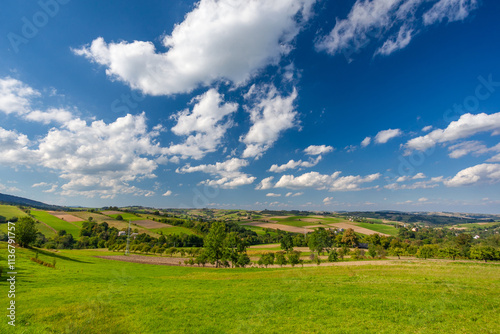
90 295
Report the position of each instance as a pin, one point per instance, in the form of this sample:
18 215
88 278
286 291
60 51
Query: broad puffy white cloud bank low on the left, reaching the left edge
96 160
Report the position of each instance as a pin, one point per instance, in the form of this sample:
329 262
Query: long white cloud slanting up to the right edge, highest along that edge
468 125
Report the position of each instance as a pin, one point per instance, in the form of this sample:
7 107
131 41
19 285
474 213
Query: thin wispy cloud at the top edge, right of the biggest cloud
396 21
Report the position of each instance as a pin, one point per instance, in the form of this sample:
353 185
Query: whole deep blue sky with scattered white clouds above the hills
290 104
